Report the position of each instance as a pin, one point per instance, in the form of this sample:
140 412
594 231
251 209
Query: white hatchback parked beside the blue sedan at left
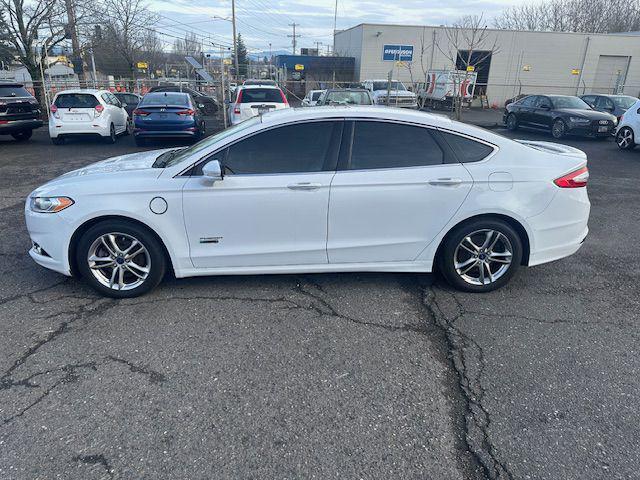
87 112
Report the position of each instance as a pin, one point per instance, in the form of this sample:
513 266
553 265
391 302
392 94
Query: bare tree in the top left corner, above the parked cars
27 27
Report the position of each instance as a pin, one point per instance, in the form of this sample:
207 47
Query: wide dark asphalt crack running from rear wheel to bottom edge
477 418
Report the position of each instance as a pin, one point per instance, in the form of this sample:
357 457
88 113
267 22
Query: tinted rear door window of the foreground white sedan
391 145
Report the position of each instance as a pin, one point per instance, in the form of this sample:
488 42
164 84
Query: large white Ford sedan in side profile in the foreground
327 189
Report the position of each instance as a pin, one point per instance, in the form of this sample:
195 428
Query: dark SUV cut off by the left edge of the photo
19 111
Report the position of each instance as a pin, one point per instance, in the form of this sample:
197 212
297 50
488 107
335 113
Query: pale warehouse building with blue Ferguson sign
523 62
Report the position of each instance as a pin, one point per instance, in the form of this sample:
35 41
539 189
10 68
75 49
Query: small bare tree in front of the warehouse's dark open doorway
468 44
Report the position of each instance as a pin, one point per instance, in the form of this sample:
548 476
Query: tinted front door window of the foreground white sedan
289 149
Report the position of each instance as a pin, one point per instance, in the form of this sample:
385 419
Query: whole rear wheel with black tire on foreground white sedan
474 260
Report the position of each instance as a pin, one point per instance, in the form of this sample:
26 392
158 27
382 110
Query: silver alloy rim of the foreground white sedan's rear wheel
483 256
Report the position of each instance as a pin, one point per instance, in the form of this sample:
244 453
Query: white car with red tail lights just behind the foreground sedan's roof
254 100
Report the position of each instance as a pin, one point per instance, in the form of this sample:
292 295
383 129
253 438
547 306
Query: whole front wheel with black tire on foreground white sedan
140 274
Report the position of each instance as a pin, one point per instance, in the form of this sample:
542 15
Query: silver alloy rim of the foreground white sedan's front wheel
119 261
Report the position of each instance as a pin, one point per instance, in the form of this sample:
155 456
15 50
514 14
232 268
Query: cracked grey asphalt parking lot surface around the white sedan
323 376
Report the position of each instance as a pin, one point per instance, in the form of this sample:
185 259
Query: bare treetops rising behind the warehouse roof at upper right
593 16
